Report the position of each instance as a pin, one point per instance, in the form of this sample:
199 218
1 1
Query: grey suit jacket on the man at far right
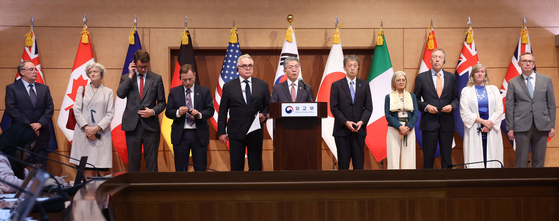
521 109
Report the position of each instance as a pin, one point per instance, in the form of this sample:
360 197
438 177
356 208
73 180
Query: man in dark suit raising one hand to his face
145 99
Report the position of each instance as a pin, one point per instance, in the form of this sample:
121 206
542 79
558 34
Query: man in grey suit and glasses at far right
530 112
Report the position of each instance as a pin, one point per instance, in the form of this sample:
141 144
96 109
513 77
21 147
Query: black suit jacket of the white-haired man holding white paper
241 114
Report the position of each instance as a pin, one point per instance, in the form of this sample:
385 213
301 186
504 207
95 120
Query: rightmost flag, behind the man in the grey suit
514 69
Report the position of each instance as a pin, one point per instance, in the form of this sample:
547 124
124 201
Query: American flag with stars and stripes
228 72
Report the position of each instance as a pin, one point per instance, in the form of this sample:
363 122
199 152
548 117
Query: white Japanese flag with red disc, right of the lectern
333 71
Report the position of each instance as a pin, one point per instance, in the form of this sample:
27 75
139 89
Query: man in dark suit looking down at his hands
190 106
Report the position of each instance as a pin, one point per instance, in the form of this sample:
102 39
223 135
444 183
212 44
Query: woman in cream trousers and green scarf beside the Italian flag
400 108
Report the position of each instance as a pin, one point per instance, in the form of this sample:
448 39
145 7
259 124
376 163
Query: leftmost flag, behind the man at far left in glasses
31 53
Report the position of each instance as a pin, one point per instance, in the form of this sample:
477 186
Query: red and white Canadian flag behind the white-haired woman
77 78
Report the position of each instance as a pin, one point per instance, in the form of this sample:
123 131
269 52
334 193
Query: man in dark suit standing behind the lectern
293 87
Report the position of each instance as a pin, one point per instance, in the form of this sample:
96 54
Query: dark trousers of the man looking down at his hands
190 142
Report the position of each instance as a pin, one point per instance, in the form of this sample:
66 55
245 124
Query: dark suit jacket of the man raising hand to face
153 98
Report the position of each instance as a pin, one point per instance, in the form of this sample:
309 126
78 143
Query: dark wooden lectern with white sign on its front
298 138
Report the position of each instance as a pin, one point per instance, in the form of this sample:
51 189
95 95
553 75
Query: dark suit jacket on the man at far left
20 108
